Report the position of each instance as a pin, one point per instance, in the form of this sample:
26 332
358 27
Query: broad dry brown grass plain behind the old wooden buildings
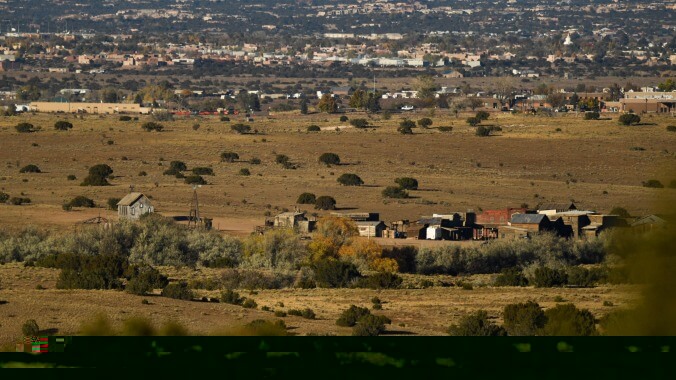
533 160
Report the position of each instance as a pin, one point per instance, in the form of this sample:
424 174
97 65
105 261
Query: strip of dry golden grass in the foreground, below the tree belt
413 311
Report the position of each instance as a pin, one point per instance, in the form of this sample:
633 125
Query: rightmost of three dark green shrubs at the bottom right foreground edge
567 320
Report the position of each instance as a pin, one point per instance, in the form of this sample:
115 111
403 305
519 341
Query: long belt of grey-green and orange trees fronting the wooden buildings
334 258
